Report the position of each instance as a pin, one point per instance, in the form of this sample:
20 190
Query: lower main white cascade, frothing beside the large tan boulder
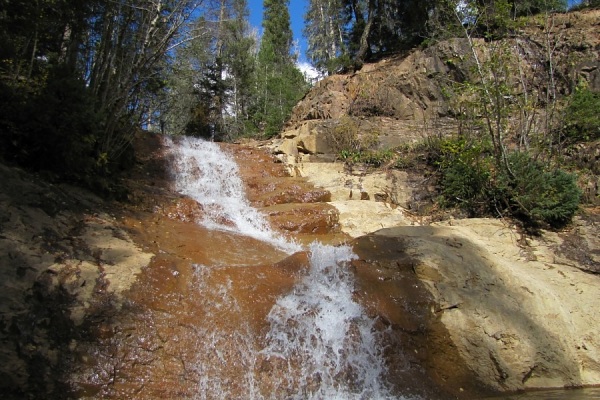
328 343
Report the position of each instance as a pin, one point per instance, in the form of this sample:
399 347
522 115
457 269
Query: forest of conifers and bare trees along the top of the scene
79 79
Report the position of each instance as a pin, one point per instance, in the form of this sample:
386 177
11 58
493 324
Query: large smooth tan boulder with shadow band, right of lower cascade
519 318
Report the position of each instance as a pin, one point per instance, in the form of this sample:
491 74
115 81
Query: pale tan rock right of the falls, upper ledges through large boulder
519 310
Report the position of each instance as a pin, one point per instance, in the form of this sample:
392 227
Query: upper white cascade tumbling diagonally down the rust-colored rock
211 177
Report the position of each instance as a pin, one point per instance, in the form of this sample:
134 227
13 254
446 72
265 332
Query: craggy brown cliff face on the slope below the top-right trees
404 98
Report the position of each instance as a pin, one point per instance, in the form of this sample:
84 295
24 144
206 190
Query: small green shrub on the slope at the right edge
582 116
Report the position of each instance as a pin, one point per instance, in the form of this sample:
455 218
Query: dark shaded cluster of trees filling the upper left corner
110 58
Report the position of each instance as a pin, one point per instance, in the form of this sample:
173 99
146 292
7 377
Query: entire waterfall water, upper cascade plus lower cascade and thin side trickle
318 342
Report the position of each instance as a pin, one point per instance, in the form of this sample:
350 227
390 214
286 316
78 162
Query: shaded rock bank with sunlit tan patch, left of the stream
58 261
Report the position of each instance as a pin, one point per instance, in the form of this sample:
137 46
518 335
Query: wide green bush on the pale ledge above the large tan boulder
522 187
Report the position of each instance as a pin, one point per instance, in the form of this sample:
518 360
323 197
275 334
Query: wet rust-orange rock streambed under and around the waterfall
198 322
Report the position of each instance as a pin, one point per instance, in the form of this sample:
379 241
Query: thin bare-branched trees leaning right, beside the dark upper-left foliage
128 42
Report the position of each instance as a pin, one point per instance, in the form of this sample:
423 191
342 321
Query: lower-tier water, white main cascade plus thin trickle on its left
320 343
